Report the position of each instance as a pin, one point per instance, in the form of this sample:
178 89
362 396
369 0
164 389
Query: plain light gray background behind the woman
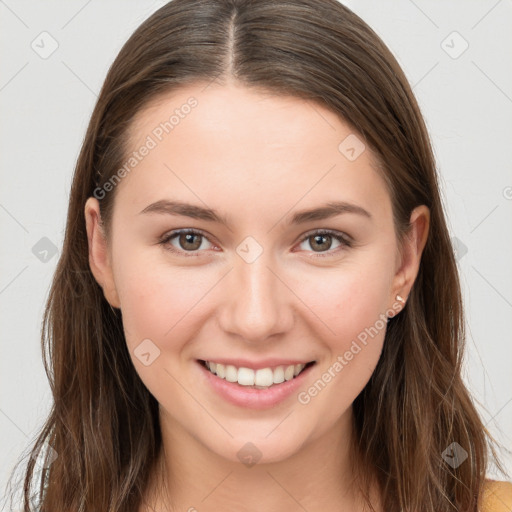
46 104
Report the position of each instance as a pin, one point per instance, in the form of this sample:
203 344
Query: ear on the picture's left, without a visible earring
99 254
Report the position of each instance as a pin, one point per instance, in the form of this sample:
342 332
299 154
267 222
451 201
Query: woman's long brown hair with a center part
103 425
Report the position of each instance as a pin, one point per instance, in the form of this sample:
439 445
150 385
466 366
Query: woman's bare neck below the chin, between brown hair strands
319 476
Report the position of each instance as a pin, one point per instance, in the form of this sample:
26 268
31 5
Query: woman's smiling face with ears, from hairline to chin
255 286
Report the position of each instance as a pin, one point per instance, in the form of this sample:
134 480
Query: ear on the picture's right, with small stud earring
409 262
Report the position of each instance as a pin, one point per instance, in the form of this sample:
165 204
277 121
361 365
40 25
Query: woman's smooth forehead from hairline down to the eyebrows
247 148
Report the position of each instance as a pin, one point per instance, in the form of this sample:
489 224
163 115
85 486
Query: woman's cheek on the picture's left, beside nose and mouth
161 304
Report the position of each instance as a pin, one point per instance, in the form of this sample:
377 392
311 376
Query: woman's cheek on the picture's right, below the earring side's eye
352 308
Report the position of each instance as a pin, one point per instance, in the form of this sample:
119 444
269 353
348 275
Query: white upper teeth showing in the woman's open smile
262 378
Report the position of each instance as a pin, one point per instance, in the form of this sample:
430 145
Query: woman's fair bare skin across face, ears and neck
257 160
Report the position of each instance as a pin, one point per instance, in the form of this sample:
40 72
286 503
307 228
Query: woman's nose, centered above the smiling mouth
258 306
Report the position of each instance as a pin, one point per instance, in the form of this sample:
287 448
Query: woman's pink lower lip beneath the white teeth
253 398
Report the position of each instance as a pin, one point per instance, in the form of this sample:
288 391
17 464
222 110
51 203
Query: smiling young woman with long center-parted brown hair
207 353
